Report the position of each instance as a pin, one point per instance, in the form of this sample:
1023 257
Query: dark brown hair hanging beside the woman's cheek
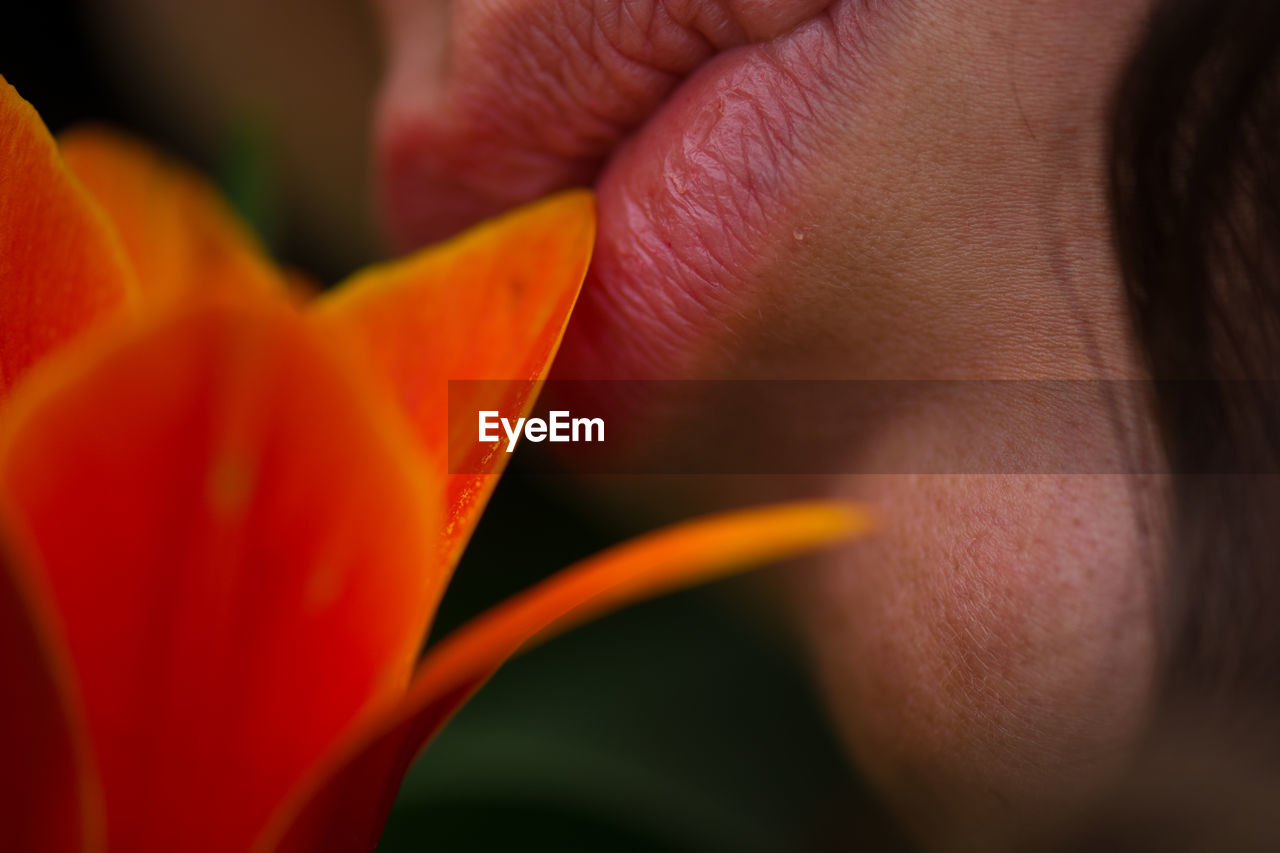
1196 206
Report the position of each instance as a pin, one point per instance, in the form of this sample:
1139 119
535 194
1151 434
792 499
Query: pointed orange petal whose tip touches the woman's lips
491 304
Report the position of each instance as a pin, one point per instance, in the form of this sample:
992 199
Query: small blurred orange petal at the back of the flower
180 234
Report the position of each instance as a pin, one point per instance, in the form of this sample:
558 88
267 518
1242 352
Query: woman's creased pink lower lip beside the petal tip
688 212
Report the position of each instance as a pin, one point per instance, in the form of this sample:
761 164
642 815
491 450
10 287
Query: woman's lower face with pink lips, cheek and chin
865 190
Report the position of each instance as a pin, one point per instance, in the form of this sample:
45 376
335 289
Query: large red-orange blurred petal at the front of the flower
235 535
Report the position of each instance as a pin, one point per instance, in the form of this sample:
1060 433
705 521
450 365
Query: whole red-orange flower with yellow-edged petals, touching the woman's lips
226 512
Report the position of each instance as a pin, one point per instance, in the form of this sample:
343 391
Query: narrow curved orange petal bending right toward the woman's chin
345 806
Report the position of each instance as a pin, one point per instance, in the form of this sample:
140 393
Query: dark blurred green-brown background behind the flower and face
684 726
